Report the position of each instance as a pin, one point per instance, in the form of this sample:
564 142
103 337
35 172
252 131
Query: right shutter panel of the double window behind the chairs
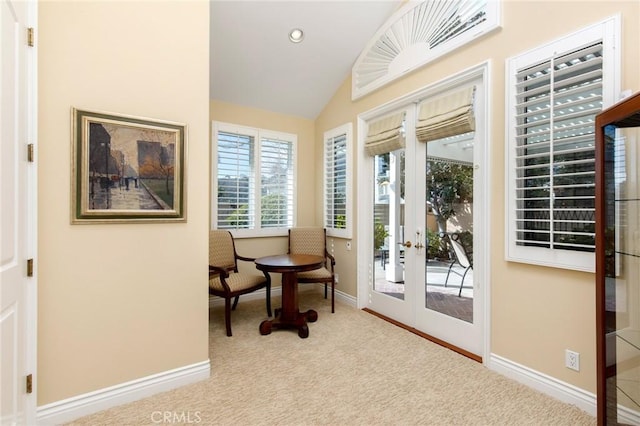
276 183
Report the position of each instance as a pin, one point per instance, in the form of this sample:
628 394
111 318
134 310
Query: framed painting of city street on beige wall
127 169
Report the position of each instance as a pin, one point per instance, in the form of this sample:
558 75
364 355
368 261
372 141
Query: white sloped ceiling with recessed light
254 64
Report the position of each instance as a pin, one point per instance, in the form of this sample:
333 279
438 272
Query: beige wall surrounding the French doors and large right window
536 312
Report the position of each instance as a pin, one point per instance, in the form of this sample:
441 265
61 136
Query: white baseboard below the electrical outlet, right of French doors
551 386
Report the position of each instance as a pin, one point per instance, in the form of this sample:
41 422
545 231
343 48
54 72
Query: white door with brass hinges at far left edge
17 214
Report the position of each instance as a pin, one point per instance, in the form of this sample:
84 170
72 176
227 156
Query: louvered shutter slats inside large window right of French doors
556 104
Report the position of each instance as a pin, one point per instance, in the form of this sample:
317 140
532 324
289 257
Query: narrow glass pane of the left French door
388 223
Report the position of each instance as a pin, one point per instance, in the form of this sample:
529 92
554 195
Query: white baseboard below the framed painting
83 405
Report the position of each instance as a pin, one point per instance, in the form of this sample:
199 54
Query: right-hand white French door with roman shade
449 305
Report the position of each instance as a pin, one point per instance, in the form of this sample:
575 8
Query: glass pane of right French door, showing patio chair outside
449 225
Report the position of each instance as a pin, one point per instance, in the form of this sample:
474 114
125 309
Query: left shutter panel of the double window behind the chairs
235 180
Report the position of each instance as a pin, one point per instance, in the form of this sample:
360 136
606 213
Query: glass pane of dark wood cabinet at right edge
622 274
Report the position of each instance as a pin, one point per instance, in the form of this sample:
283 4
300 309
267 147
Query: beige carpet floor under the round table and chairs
353 369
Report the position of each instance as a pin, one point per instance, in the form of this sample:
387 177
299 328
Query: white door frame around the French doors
365 191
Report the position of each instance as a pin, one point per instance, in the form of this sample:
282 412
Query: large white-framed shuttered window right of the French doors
554 93
